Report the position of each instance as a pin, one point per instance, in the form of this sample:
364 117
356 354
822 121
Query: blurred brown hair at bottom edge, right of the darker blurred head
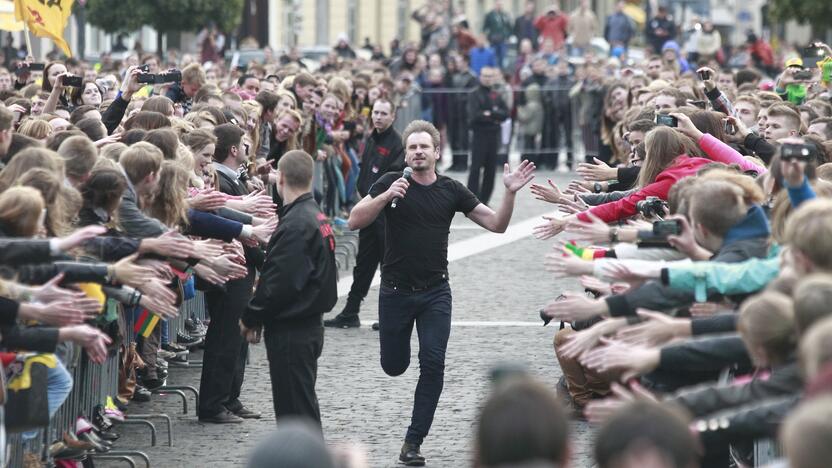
646 427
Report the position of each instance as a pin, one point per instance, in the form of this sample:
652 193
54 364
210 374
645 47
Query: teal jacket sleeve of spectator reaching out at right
710 278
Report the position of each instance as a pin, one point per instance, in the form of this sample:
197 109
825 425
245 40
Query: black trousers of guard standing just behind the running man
370 254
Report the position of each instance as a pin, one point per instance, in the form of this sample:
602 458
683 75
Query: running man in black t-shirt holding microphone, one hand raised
414 273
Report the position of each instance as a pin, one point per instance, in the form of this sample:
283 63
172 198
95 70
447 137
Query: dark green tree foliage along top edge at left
164 15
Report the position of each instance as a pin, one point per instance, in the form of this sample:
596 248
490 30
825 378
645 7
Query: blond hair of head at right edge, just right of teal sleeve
809 231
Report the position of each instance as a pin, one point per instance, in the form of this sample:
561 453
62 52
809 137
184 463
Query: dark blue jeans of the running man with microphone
431 311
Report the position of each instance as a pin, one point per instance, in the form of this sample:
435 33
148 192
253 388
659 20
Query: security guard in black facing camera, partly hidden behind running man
383 153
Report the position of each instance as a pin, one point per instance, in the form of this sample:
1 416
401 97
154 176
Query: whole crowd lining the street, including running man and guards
697 225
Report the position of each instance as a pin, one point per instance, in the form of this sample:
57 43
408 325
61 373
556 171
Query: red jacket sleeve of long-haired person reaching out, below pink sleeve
683 166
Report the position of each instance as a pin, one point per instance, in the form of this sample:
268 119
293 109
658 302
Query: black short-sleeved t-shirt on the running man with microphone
416 231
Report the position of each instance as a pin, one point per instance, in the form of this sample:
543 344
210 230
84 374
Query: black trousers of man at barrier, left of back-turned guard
224 360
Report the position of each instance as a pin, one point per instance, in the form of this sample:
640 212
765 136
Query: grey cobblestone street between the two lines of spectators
497 291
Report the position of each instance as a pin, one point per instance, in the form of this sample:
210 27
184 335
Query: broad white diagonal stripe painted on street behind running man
463 248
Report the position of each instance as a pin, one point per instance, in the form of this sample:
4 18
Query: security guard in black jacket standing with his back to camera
297 286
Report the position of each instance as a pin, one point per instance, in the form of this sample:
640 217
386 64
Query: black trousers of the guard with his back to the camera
293 367
